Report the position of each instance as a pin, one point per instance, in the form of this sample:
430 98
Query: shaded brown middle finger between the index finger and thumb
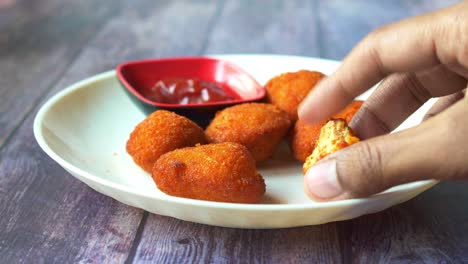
399 95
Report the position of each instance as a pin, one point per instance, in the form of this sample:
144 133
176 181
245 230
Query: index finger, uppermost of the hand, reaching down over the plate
383 52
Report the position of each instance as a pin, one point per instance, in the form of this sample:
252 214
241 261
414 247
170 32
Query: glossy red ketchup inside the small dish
187 91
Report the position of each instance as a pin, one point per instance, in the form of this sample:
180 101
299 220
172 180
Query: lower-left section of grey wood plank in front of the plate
49 217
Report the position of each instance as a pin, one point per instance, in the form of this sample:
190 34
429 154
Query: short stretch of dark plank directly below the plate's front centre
168 240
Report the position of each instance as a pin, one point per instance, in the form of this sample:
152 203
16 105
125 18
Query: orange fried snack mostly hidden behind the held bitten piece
303 136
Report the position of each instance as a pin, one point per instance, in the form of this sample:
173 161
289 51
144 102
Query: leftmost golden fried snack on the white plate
161 132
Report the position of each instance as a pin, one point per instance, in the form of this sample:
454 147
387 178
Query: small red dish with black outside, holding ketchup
195 87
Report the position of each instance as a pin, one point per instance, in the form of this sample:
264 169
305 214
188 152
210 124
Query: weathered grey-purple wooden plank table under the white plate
47 216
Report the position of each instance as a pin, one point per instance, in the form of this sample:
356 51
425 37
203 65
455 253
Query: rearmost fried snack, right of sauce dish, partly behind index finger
289 89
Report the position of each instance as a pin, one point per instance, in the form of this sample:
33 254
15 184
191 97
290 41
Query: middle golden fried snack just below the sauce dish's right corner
258 126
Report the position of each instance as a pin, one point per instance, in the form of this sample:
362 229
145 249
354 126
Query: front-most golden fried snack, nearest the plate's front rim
222 172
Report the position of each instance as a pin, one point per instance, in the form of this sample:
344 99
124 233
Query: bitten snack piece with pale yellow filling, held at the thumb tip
334 135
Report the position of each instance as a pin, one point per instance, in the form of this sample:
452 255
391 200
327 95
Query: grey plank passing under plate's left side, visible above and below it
47 215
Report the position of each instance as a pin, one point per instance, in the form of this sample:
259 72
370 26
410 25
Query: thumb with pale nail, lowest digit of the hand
436 149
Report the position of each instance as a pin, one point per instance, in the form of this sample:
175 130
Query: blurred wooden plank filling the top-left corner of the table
39 40
